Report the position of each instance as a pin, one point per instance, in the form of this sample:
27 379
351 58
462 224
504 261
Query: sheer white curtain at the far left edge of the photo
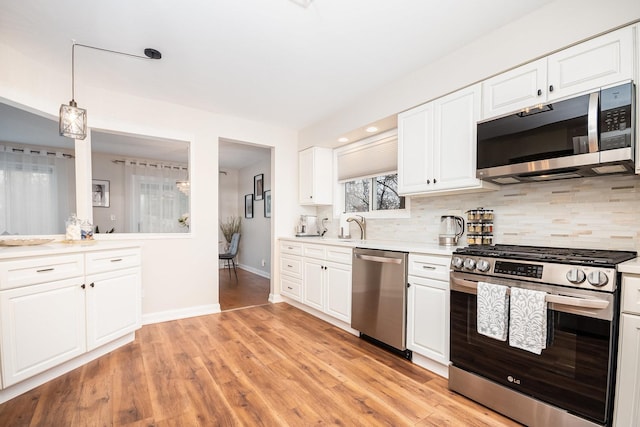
37 191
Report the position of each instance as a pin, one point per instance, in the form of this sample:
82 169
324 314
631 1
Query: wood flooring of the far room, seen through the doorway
247 290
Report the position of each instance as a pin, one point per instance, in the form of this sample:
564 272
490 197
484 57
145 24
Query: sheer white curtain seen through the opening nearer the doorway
154 203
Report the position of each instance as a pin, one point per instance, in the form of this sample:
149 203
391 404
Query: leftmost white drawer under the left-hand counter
31 271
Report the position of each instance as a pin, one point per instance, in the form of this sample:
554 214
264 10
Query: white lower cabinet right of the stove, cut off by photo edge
627 401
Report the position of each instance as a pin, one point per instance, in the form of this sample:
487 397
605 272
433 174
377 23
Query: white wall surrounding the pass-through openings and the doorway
178 272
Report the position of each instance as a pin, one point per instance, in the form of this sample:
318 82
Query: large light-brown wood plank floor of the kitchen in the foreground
268 365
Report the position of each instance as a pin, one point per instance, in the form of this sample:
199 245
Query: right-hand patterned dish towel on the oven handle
528 320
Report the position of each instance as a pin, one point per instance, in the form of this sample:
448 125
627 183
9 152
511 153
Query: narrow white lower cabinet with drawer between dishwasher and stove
428 308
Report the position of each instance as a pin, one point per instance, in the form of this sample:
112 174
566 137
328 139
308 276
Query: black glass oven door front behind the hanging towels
571 373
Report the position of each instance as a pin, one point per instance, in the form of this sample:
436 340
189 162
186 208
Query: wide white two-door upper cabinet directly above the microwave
598 62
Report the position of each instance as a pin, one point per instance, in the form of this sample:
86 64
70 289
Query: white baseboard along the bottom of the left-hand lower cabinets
37 380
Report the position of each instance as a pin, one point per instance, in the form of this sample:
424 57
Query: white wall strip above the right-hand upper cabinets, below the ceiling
552 27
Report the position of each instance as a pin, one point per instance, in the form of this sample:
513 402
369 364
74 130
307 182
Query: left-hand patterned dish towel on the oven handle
493 310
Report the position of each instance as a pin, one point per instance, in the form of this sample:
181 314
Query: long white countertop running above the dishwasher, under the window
416 247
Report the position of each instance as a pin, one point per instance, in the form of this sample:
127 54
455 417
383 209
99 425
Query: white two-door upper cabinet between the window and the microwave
437 145
